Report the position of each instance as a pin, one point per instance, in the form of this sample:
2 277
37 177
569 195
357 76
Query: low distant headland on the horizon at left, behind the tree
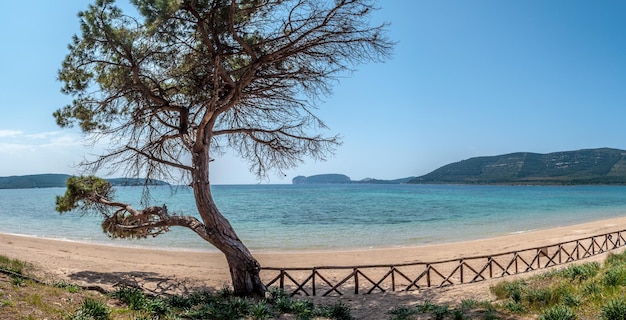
52 180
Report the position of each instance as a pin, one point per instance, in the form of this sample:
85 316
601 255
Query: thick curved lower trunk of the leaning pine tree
244 268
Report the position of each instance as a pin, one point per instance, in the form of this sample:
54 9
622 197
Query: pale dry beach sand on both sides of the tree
168 271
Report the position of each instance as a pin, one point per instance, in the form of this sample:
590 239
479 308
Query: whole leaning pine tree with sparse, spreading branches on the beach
177 85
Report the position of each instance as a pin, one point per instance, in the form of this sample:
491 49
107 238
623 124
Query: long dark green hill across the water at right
589 166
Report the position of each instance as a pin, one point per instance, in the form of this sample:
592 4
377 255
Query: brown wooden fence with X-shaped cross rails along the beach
337 280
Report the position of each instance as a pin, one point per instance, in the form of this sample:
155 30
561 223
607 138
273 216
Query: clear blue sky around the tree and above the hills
468 78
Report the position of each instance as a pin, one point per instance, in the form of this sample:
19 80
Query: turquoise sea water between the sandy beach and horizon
318 217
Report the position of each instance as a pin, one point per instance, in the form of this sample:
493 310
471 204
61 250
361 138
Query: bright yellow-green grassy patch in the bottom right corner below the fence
589 290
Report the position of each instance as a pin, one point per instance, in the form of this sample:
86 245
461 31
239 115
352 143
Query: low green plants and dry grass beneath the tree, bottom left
53 300
